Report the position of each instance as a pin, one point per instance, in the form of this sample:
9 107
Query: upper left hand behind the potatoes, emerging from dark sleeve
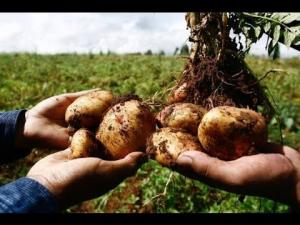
44 125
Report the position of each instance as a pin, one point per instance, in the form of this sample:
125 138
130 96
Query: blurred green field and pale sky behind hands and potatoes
43 54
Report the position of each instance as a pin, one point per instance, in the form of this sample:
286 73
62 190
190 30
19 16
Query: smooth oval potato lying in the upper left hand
86 111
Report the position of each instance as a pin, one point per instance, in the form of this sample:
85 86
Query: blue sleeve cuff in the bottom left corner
26 195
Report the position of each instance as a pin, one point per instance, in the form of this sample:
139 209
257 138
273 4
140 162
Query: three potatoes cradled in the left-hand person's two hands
108 130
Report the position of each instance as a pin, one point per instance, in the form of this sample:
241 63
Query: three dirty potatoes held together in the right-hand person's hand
224 132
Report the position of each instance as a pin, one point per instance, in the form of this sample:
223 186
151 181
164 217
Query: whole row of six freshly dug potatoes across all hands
113 130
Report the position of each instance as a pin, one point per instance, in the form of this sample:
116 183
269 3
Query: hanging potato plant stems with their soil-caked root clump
216 73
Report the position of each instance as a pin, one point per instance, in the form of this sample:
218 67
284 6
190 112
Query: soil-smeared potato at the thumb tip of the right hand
166 144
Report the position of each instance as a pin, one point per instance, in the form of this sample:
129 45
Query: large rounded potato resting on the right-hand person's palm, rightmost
228 132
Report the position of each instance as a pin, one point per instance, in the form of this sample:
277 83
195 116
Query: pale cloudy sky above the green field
50 33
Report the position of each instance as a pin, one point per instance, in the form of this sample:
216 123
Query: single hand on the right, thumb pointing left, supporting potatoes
274 174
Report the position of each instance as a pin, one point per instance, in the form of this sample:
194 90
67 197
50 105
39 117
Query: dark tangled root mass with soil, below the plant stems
211 83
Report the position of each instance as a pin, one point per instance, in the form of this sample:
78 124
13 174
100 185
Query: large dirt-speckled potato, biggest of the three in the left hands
125 128
